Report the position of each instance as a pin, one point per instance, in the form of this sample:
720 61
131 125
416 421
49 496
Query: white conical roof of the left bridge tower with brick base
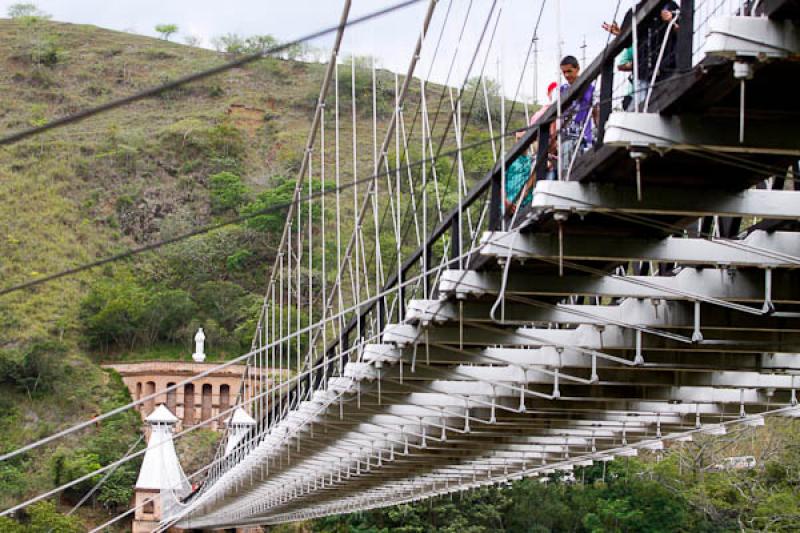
161 469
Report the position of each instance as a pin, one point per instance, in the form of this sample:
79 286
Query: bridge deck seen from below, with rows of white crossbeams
601 326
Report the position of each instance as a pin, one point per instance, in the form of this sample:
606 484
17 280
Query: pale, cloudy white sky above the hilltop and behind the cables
566 26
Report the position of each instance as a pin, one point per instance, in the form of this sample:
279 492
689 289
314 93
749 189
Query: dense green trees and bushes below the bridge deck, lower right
676 493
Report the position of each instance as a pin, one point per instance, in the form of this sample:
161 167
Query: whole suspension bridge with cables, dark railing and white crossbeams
442 340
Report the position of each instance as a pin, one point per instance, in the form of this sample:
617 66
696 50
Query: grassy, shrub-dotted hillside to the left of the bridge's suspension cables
123 179
